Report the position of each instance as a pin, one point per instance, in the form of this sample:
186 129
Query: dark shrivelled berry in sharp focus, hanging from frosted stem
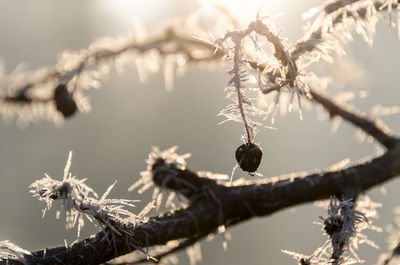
248 157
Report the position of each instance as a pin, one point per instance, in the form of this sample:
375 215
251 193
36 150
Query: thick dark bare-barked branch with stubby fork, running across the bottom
226 206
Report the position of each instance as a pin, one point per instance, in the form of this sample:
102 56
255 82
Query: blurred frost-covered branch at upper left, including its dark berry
57 92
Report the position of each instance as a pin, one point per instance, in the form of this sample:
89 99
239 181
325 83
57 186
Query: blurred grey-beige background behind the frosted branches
128 118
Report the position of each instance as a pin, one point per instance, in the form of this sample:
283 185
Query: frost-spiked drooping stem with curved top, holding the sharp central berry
237 45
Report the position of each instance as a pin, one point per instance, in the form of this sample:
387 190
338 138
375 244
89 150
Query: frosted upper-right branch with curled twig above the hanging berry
286 68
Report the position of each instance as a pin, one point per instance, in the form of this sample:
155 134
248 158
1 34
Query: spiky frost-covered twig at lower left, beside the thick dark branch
79 201
